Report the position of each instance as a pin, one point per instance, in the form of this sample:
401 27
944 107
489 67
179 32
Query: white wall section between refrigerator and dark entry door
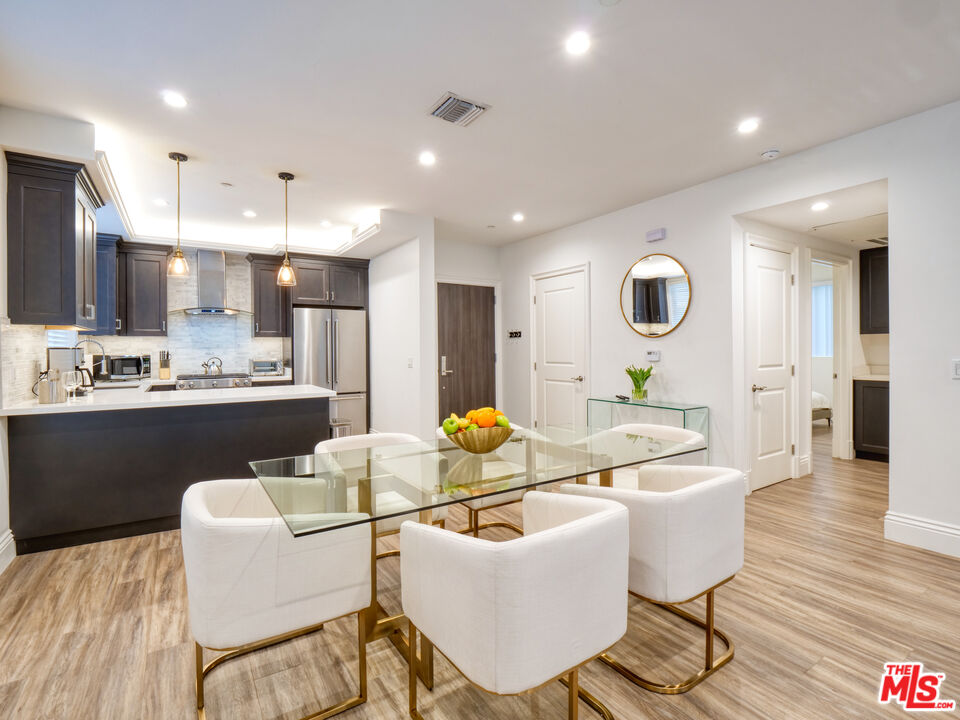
394 317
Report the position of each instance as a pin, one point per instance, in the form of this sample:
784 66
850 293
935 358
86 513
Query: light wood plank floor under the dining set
100 631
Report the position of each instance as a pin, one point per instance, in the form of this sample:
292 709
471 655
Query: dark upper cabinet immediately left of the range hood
142 289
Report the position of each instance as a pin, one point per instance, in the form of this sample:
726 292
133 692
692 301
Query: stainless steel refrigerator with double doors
330 350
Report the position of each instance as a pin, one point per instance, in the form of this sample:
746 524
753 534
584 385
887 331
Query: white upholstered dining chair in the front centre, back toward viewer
513 616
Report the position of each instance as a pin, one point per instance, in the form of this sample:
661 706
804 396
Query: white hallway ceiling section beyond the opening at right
855 215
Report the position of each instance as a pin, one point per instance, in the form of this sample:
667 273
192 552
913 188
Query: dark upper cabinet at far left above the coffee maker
51 242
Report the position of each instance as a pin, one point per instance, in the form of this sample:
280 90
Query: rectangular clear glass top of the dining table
324 491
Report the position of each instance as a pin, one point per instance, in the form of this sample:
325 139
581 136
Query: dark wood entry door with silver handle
467 346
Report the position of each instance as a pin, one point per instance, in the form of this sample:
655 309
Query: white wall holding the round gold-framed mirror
703 359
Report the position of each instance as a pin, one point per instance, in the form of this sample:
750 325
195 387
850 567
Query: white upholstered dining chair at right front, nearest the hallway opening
686 540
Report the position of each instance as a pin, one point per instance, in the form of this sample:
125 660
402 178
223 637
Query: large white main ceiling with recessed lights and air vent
337 92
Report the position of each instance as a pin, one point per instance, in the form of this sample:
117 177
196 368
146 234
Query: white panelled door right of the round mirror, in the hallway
769 323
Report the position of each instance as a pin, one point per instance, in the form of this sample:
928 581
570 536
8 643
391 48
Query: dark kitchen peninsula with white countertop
115 463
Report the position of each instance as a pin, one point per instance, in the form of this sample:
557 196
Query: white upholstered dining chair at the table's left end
251 584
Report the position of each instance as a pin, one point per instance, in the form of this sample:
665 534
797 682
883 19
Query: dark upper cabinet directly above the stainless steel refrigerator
334 282
